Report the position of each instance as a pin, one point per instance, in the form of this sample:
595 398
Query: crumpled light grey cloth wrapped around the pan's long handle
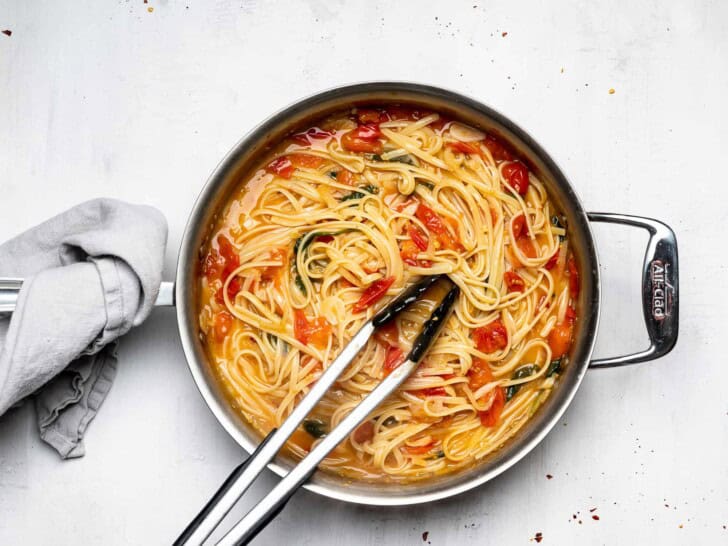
90 273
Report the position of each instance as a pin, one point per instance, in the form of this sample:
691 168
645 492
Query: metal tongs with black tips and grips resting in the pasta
241 478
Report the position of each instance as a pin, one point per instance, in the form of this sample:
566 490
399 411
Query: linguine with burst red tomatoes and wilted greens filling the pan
337 220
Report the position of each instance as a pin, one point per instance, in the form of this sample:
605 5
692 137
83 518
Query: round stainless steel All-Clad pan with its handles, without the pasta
659 283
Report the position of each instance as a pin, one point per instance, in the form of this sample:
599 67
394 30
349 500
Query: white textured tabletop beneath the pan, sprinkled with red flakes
105 98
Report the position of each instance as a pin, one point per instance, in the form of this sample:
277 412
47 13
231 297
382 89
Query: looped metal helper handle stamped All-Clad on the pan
660 294
